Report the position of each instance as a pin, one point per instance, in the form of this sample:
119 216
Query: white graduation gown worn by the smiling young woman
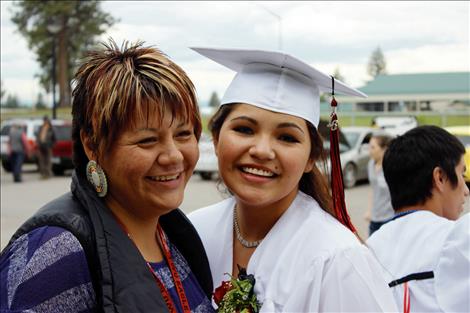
308 262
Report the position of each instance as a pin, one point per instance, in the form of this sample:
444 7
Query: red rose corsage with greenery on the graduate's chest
237 294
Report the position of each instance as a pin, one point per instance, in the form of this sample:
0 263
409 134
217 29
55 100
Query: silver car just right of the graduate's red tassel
354 152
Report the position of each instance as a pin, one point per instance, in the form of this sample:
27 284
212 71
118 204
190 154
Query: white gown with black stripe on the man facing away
415 243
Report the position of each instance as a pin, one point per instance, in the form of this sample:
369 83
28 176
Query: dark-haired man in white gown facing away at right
424 169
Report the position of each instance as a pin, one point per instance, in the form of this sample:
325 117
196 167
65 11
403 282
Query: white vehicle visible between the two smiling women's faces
207 165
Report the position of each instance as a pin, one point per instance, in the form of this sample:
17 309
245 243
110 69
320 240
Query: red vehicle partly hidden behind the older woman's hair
62 149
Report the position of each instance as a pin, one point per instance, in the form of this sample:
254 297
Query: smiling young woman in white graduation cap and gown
279 225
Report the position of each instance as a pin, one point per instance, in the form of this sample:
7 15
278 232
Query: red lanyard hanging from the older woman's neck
174 273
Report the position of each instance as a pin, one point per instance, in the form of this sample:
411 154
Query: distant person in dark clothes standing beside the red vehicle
45 139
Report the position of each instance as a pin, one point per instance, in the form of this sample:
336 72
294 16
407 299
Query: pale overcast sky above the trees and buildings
427 36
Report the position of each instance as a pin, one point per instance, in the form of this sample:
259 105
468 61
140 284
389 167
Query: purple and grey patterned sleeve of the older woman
46 270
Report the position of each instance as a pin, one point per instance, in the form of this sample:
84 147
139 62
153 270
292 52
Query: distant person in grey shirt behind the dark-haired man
380 209
